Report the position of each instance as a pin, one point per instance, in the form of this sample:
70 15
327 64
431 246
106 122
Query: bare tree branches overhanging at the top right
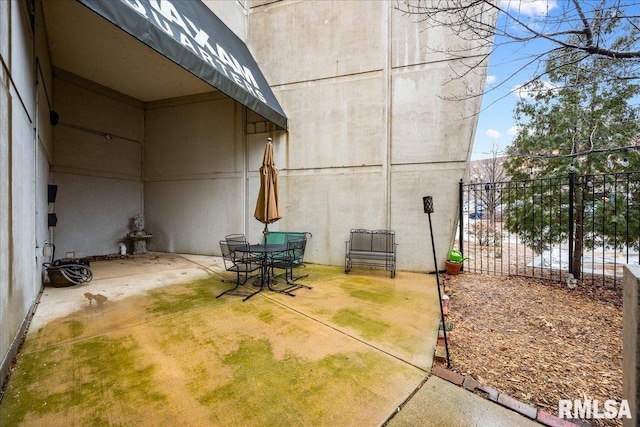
607 29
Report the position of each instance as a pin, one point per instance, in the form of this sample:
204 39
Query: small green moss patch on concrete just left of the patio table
183 297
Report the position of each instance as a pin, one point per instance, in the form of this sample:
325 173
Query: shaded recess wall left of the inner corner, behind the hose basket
97 167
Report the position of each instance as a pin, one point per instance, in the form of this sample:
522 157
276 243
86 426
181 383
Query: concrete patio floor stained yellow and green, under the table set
147 343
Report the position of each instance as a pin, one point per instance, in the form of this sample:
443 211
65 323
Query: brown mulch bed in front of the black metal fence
536 340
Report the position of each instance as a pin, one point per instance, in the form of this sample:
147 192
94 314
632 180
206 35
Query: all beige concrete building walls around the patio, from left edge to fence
369 135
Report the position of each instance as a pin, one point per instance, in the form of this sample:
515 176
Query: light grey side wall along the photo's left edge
25 142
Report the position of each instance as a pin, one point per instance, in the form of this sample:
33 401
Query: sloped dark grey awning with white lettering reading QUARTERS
191 35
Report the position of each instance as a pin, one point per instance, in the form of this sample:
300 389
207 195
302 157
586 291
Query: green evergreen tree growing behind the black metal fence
573 124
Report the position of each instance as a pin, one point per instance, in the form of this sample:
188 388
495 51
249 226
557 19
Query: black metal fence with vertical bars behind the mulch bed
578 226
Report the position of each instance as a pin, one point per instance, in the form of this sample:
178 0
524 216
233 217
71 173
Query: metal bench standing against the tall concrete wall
371 248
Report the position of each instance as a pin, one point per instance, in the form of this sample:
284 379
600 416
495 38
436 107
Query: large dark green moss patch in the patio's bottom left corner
92 376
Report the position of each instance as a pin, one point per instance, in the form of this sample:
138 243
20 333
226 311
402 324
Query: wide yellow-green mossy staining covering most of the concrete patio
222 353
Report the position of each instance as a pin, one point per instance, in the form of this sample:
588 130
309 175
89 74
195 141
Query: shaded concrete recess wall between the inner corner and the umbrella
194 179
